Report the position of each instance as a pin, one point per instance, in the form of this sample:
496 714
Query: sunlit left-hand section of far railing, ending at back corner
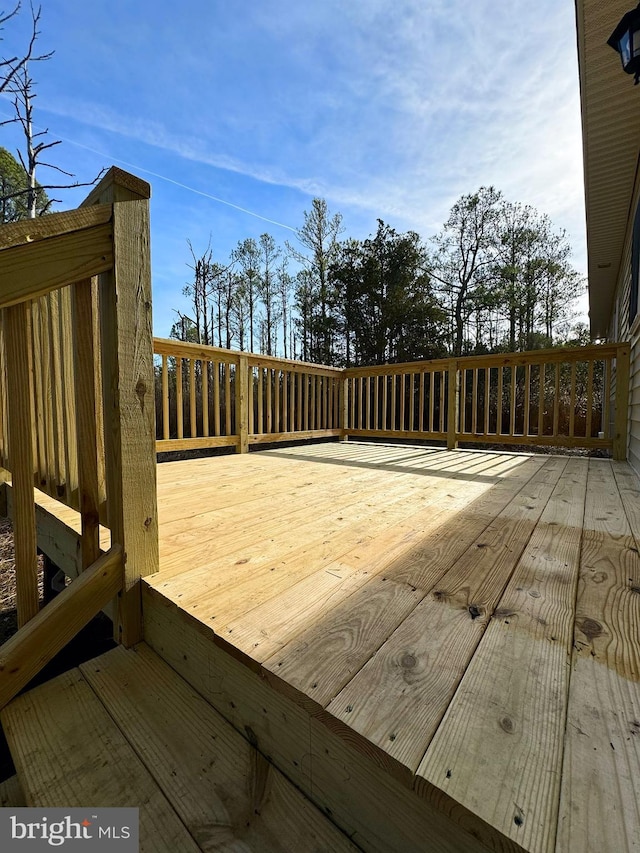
213 397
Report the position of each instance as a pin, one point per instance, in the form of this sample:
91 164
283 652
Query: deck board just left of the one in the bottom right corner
509 711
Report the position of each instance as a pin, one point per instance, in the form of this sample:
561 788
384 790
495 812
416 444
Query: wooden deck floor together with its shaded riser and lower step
438 649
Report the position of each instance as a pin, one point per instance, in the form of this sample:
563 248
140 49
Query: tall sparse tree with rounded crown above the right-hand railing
504 276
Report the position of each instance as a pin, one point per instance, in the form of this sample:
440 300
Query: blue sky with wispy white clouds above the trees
389 109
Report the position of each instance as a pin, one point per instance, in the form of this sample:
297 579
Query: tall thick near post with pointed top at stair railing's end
129 395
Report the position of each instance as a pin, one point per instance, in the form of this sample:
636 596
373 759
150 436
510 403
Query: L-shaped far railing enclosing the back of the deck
558 397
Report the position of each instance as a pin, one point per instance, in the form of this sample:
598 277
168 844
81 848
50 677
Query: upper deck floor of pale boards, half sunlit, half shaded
470 619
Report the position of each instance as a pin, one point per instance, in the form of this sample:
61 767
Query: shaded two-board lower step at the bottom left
125 730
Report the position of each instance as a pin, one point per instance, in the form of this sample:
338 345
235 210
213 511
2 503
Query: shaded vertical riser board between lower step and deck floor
374 810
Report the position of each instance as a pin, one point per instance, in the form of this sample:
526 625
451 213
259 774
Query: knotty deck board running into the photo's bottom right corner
599 806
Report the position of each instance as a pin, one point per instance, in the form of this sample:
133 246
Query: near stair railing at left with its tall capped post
76 402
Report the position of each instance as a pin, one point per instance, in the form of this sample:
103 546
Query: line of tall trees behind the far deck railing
497 277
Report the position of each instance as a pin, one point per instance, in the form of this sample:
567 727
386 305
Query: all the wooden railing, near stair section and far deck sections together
78 420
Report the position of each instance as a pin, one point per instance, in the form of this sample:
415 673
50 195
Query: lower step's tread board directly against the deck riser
221 788
